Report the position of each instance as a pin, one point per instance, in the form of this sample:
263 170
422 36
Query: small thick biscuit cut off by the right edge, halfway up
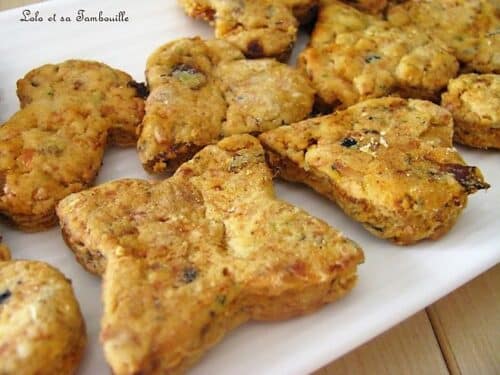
474 102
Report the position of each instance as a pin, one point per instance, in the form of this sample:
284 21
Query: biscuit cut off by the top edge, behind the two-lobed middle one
259 28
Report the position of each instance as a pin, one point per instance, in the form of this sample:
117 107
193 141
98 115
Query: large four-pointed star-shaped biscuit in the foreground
191 257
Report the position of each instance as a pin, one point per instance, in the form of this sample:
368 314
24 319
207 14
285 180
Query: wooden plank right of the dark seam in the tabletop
467 325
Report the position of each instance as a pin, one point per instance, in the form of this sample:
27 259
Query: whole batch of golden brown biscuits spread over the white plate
367 119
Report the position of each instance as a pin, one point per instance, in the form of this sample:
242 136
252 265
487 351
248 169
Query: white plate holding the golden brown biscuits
394 282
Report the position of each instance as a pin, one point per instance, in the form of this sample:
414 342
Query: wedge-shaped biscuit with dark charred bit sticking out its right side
388 163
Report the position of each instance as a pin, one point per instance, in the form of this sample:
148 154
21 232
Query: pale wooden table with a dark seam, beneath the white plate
459 334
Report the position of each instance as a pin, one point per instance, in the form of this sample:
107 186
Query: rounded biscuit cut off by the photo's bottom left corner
41 327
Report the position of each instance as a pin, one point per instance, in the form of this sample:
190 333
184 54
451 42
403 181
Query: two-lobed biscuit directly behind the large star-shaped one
202 91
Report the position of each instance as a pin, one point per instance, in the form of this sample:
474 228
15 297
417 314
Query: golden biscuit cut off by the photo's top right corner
470 28
